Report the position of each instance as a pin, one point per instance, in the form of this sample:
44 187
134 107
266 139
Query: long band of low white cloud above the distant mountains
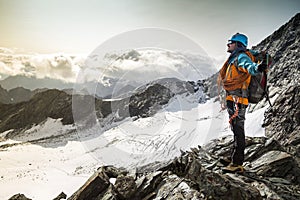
130 65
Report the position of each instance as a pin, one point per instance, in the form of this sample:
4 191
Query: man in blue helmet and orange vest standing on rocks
235 76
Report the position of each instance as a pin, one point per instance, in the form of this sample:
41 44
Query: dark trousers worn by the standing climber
237 127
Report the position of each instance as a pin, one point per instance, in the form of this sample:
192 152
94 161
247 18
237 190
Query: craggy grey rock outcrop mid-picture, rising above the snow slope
146 100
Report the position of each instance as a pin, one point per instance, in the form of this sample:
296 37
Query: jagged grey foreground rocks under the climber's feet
197 175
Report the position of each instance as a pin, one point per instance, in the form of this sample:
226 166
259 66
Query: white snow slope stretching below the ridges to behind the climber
43 171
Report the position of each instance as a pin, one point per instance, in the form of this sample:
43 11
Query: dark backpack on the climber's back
257 89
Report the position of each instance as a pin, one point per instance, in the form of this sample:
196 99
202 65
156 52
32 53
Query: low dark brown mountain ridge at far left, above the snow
53 104
